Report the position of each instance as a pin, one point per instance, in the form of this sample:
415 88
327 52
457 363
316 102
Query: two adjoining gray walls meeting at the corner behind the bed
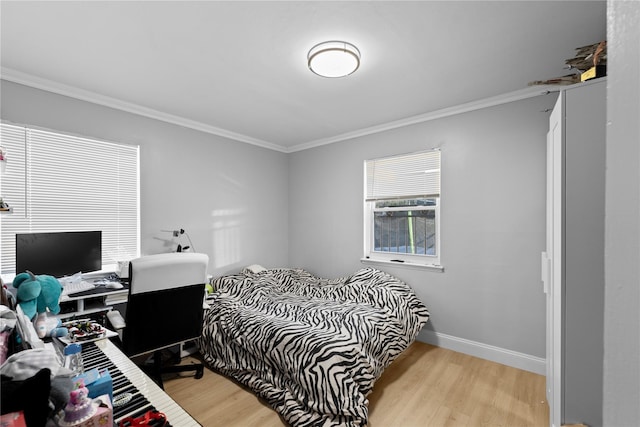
232 198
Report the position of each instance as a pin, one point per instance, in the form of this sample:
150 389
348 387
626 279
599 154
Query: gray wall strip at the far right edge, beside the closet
621 401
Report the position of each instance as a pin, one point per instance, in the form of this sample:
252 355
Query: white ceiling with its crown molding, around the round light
238 69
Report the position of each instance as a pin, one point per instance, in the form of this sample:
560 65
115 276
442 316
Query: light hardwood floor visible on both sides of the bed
425 386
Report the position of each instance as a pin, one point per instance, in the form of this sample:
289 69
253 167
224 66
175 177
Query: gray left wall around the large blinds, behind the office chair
230 197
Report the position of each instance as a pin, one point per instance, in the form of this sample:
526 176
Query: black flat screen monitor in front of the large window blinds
59 254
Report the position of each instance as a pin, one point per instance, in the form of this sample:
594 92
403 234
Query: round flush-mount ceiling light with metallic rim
333 59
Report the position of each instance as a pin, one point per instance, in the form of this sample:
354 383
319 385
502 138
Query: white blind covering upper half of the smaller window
405 176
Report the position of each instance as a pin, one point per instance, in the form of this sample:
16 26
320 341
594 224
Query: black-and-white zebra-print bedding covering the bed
311 347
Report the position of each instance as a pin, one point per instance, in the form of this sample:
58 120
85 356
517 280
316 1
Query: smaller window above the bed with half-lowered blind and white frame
402 209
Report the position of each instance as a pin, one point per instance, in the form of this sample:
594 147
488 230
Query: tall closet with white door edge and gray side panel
573 264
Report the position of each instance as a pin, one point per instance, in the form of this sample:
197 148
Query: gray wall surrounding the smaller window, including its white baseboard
489 300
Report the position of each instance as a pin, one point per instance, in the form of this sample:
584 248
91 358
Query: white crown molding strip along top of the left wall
96 98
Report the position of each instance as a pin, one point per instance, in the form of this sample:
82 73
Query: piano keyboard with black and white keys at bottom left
129 378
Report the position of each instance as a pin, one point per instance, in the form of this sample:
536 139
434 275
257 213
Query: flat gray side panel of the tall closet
583 299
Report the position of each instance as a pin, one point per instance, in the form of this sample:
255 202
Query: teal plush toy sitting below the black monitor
36 294
